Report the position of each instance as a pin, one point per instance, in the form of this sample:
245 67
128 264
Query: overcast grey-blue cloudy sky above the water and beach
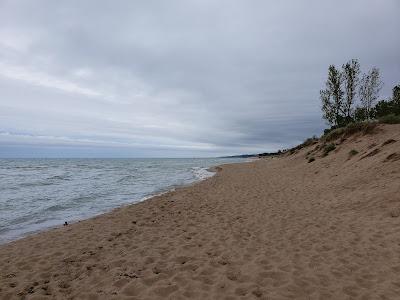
189 78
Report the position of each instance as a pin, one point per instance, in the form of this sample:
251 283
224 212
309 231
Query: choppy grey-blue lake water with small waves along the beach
36 194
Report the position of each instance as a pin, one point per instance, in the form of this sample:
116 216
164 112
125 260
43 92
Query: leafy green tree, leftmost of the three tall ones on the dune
332 97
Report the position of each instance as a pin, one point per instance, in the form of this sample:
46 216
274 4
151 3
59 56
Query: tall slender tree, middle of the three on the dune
351 72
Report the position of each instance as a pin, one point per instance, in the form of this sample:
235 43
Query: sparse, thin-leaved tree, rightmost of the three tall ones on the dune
369 88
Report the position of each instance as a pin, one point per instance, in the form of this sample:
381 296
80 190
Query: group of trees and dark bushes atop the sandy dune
351 97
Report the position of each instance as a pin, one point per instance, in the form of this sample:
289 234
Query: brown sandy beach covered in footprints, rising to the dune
276 228
